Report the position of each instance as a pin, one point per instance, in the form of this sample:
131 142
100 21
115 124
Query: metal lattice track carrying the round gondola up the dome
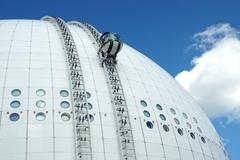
124 129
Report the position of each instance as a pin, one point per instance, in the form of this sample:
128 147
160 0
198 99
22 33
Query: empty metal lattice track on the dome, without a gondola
83 149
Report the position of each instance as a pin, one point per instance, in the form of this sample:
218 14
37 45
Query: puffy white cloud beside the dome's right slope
214 80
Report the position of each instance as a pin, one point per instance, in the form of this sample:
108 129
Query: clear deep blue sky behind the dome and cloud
162 30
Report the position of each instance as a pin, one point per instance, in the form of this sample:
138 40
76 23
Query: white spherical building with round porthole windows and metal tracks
59 102
